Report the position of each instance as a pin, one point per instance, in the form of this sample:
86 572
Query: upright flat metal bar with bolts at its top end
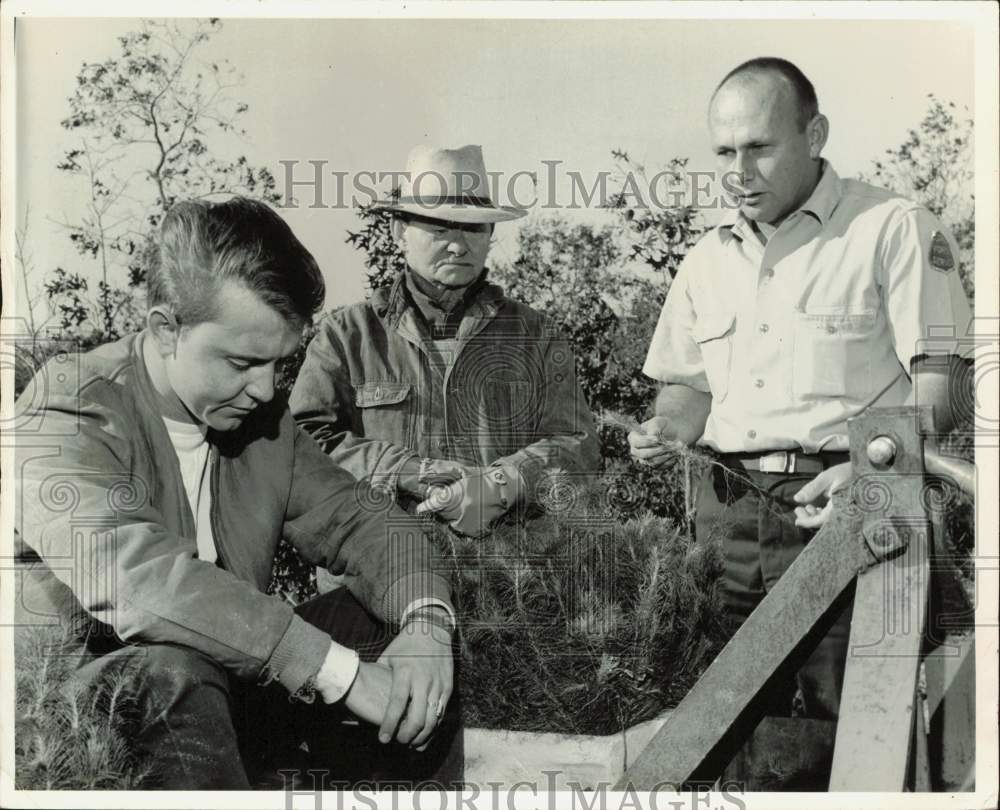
876 725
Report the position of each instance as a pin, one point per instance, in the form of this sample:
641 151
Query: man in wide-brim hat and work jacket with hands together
441 389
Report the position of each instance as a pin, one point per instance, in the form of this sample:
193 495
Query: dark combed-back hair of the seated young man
203 244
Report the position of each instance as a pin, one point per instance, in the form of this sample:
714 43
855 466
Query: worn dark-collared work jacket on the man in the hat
375 390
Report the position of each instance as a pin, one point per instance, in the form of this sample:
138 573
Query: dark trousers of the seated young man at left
201 729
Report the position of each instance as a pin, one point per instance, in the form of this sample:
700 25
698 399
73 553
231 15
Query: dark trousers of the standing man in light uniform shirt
752 515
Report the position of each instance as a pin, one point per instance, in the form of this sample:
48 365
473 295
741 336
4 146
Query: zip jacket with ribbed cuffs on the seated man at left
102 503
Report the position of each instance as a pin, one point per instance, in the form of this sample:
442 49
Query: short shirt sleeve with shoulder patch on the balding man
926 305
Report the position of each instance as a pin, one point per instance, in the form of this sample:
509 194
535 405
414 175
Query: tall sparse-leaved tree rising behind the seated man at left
146 125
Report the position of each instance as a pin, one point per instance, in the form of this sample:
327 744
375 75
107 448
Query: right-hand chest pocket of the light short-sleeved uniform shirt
832 354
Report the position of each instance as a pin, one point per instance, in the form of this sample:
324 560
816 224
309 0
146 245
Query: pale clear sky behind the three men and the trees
360 93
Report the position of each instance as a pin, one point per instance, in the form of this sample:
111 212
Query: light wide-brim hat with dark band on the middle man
448 184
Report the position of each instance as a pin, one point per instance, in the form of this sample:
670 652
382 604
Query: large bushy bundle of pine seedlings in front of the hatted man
580 620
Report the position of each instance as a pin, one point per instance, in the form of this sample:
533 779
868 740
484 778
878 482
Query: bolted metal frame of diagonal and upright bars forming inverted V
881 518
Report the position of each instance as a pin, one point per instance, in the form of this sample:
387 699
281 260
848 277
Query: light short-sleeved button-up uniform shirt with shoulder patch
794 337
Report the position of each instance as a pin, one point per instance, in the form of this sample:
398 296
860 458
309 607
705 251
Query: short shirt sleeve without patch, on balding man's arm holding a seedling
674 356
